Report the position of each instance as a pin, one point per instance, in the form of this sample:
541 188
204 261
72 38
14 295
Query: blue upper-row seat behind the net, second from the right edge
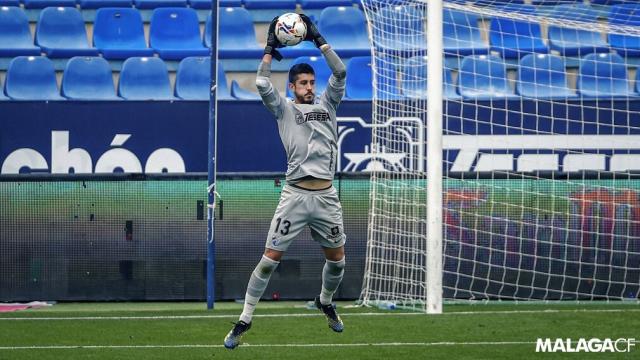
573 41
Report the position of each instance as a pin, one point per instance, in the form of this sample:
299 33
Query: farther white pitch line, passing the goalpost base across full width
233 316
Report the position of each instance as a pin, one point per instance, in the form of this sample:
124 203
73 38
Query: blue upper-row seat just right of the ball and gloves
345 28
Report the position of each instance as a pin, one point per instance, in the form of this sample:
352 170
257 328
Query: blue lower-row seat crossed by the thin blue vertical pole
194 78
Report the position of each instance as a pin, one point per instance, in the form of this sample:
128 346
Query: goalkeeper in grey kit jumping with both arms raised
307 127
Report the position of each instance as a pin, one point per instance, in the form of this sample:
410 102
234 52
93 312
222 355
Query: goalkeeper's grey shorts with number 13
319 209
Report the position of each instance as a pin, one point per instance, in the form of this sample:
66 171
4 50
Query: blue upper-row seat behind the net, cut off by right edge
628 15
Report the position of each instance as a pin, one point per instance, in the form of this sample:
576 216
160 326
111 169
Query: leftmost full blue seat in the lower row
31 78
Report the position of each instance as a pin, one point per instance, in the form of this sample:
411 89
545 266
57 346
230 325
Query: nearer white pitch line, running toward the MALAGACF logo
245 345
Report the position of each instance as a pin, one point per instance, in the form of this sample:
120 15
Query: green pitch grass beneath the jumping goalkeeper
288 330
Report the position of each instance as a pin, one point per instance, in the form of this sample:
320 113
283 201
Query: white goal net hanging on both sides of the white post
540 146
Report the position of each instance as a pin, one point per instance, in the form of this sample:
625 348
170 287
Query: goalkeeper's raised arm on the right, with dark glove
335 90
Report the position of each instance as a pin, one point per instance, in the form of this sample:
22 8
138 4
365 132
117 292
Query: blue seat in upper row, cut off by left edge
15 36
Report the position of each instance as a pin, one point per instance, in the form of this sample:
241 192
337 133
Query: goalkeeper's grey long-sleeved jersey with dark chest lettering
308 131
